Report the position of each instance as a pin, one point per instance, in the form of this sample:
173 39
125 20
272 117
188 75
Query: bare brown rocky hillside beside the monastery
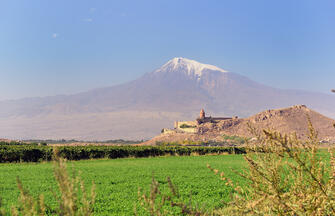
286 121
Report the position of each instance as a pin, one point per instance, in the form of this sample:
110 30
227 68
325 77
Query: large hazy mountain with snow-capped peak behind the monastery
140 108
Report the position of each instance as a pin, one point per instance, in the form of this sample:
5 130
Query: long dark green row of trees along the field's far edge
31 153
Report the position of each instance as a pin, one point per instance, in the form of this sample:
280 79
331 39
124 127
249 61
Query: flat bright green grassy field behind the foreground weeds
117 181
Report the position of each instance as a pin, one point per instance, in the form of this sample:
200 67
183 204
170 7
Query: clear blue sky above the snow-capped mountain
64 47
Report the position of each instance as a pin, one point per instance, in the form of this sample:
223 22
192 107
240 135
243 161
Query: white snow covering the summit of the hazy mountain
187 66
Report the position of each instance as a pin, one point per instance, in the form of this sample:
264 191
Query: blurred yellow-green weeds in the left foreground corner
74 199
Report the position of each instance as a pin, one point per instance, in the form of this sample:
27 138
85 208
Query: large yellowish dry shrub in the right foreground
287 176
